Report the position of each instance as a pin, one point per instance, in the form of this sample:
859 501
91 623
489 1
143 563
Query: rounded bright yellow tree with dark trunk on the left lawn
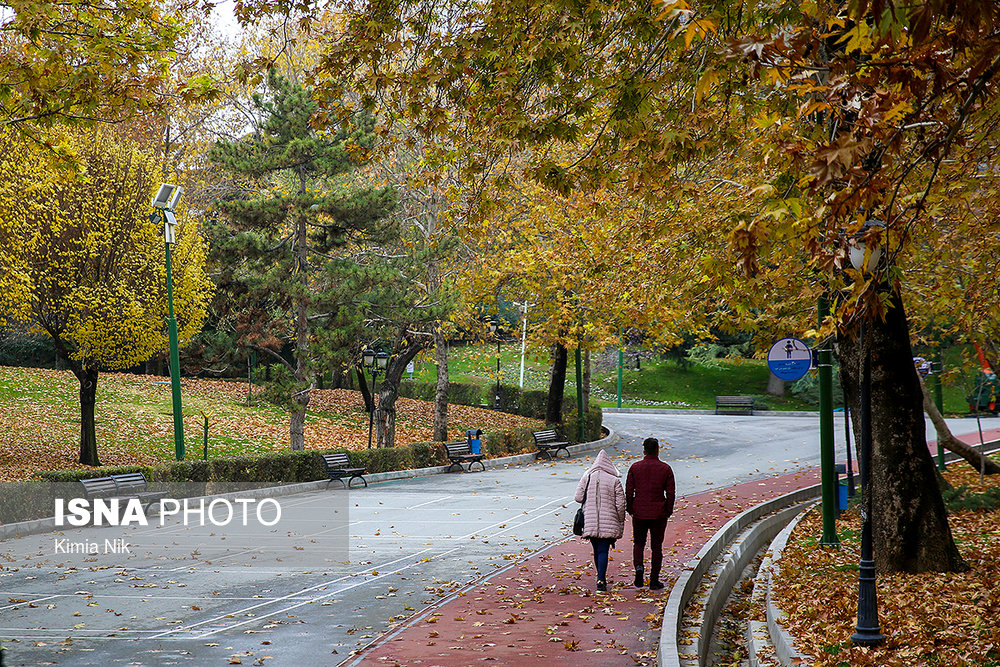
81 261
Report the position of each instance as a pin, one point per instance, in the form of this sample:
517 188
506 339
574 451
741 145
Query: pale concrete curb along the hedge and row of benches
48 525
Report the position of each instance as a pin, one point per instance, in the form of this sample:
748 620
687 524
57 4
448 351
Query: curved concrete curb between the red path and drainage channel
689 580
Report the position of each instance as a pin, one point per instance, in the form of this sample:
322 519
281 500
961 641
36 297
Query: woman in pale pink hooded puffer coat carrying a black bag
603 511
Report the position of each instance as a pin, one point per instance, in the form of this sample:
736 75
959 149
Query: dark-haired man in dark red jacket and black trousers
649 498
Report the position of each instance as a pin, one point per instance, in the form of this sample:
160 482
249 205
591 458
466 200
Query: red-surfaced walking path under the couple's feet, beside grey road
544 610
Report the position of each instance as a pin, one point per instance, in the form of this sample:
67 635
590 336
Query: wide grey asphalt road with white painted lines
413 544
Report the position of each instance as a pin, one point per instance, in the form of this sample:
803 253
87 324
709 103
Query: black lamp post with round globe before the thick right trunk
868 632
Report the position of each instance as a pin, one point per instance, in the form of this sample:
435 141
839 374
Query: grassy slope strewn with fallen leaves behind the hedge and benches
40 420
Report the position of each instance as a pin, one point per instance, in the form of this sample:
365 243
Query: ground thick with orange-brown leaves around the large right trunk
928 619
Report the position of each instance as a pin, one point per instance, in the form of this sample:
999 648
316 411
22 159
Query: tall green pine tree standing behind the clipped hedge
284 232
